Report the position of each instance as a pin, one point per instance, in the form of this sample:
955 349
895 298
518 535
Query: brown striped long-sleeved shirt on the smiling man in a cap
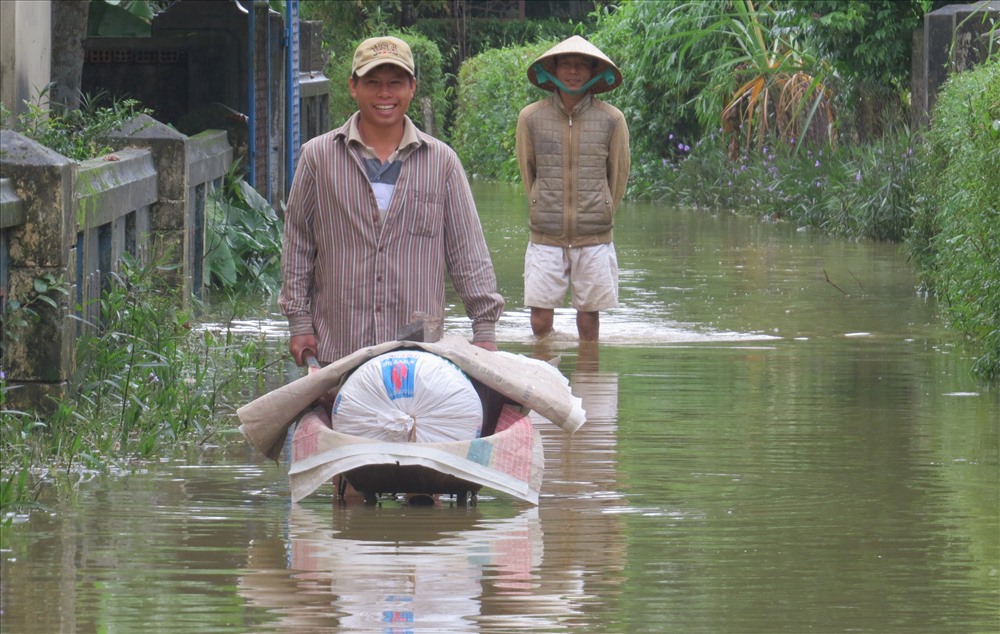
353 280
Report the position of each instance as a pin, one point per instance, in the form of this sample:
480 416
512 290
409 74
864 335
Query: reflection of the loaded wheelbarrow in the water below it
398 569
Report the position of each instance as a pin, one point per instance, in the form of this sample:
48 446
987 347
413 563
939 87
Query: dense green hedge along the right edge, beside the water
956 236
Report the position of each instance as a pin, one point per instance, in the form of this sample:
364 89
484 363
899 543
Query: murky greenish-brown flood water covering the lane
782 436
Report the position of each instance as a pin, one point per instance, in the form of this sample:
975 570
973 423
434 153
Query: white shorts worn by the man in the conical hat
591 271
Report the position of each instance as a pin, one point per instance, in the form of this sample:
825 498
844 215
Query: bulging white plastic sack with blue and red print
408 396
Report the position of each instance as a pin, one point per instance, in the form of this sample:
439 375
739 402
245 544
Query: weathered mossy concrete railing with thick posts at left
75 220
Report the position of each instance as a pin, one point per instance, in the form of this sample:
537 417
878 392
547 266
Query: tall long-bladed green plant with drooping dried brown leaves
695 66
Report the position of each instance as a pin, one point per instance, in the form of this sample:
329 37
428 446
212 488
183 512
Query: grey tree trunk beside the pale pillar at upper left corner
69 31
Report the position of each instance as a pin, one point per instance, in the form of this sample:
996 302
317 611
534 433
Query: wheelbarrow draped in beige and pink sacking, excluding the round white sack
507 457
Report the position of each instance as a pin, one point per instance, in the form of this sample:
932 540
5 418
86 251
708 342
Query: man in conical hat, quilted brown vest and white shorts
573 153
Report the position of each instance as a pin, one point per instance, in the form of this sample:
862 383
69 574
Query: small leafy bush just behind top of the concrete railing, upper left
77 134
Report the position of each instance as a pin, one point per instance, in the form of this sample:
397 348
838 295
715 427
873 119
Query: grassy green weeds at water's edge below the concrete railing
147 380
